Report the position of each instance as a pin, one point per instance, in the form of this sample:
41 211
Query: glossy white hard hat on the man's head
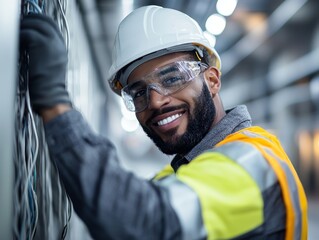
152 31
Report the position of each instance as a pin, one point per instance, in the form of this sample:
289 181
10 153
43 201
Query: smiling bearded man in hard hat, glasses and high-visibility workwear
228 180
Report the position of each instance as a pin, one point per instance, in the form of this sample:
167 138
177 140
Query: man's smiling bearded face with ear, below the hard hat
177 121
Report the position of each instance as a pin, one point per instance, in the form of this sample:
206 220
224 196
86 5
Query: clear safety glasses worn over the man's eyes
166 80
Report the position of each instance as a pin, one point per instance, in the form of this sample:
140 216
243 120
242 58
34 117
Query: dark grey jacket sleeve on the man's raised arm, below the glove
113 202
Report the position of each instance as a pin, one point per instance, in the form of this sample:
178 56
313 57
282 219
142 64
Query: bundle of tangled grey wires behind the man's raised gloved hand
42 209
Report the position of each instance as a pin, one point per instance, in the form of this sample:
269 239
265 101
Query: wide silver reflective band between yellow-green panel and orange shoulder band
251 160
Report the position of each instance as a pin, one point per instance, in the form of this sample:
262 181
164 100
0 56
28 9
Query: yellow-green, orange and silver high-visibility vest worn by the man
218 194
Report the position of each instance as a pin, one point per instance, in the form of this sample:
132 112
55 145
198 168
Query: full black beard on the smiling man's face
199 125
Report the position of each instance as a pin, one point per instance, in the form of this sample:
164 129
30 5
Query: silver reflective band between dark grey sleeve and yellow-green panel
187 207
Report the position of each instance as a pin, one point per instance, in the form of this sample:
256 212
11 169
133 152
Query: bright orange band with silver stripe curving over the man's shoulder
262 140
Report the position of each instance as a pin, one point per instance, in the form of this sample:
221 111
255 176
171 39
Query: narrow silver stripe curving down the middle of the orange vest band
293 192
